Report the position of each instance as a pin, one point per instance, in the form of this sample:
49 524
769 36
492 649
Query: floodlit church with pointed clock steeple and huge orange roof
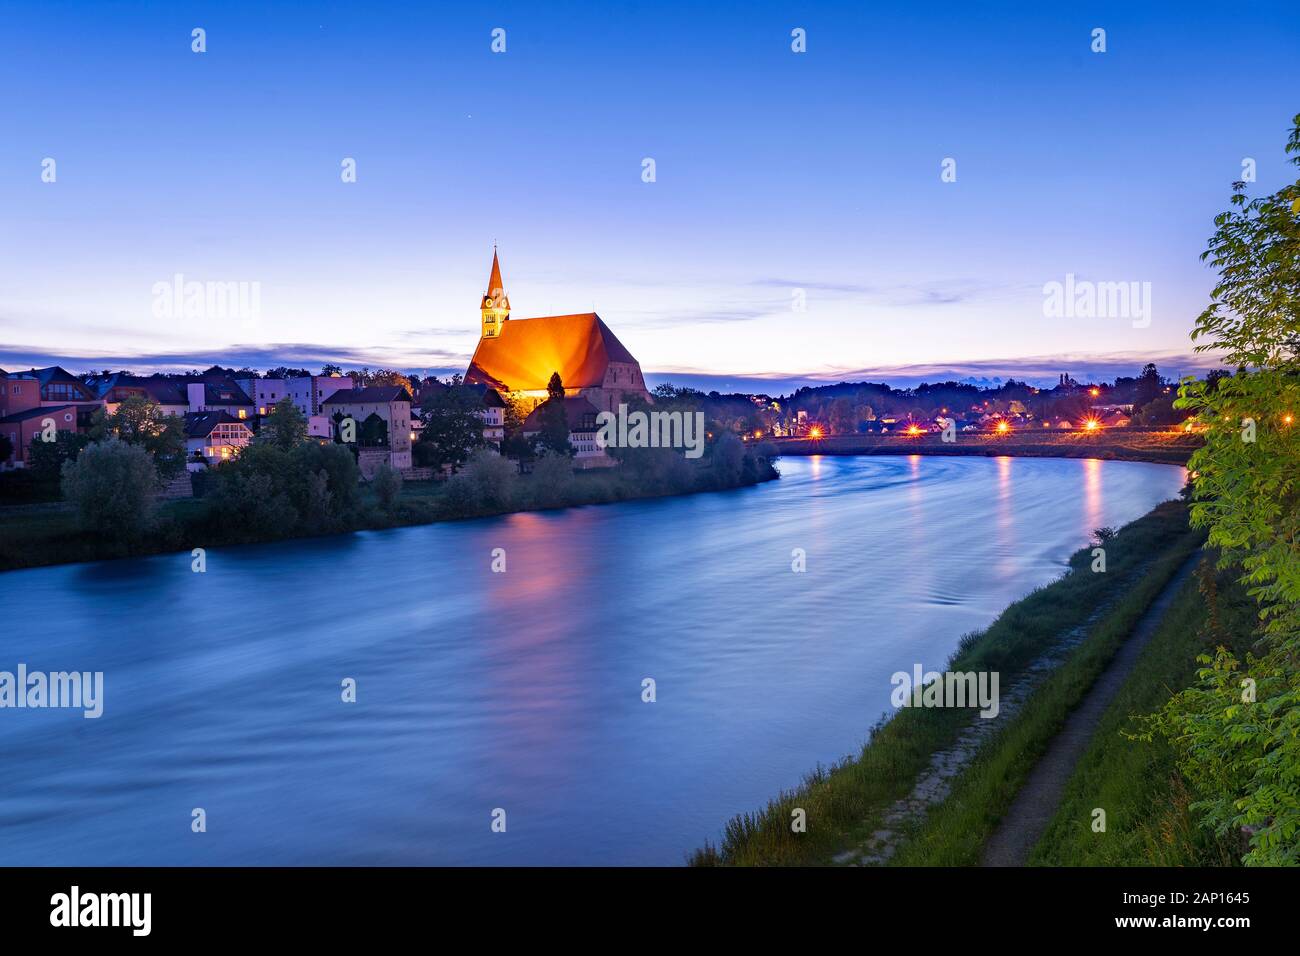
517 357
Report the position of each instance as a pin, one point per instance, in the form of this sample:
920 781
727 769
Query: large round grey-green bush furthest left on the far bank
112 487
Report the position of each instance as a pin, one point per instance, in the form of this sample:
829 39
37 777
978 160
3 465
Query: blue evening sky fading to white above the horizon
775 172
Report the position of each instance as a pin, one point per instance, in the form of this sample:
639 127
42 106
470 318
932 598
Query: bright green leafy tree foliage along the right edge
1242 758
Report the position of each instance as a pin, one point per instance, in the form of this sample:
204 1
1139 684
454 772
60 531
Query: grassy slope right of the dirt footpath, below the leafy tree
1149 821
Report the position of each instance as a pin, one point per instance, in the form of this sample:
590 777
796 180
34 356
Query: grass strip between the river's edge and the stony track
846 803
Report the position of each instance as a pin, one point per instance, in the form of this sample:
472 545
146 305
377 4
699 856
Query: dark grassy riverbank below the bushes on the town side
47 534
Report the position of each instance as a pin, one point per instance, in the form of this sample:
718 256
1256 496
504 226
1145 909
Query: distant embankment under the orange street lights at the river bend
1120 444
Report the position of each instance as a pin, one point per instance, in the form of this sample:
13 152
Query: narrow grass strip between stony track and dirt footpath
955 833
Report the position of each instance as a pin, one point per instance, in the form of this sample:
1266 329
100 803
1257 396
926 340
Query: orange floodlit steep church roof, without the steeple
527 351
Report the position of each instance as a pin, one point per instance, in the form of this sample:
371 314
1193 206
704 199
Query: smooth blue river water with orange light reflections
521 690
